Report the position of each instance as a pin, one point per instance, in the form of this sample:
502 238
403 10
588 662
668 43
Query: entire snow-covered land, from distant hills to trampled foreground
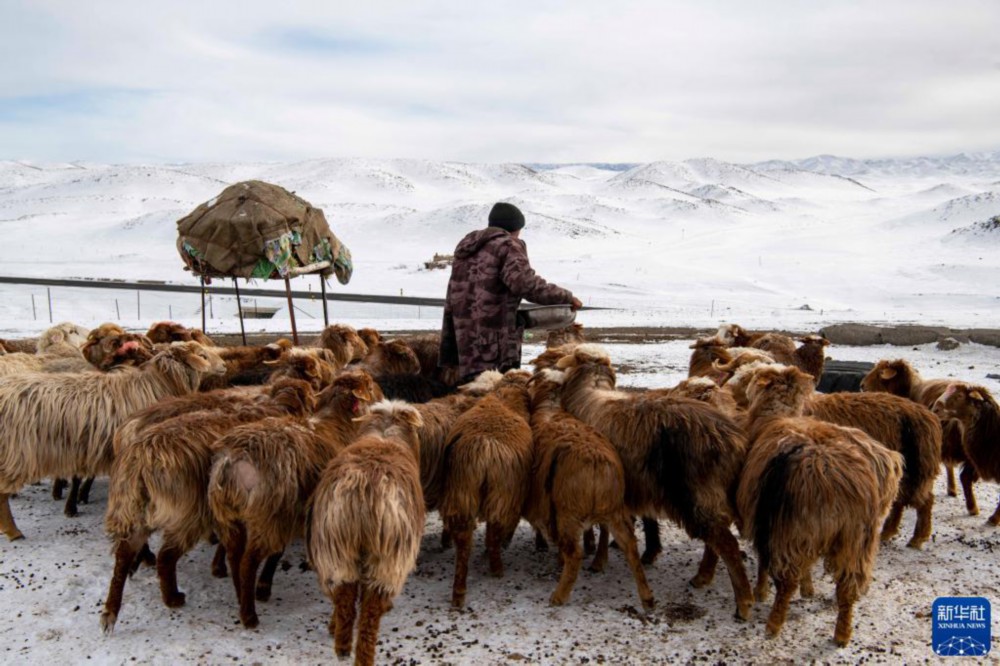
663 244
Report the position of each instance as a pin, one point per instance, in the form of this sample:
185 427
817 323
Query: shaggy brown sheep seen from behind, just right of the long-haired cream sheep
159 482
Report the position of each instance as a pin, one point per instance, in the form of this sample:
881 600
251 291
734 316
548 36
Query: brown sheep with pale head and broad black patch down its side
682 458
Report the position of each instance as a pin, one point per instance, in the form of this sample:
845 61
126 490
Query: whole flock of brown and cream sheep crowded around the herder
350 440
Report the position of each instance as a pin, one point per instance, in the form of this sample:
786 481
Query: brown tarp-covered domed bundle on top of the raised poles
255 229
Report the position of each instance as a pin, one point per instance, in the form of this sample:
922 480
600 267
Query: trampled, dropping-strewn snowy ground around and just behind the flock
53 585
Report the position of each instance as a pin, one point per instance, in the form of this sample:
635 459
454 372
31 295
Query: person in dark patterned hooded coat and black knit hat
489 277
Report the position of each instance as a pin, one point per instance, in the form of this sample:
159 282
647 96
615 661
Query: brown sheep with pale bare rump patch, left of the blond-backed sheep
264 474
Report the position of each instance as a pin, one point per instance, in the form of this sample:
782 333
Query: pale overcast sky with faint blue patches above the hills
531 81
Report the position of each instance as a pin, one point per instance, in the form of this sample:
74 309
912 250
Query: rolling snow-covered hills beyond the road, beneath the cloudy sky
669 242
